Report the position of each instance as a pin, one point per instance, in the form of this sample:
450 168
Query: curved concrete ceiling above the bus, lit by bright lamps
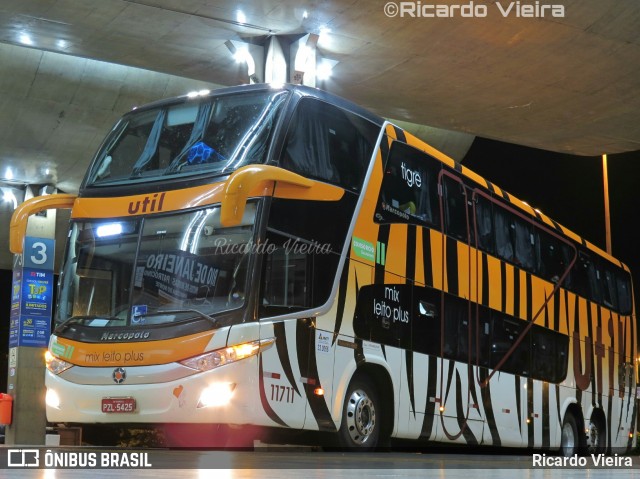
70 68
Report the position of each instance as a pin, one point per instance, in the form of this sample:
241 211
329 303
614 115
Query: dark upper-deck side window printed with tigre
409 188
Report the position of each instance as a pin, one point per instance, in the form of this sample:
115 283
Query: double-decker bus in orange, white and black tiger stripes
282 258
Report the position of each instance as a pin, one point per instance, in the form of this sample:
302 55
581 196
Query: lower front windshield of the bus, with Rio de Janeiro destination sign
155 270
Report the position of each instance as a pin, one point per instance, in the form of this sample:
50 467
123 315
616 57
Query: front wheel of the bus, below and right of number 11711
361 419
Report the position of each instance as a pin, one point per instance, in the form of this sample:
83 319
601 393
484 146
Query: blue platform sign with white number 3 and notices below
32 295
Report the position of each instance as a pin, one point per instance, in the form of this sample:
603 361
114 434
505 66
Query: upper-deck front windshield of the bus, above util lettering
200 135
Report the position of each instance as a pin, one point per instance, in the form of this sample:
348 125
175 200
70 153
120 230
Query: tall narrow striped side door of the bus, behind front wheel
460 410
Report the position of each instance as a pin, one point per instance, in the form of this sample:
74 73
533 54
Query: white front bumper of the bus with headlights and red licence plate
223 395
